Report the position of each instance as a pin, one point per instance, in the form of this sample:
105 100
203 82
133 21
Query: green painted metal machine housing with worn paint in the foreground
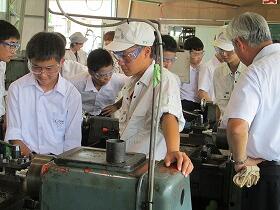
90 187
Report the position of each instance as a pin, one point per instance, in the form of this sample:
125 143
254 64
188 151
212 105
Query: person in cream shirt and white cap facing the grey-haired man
228 73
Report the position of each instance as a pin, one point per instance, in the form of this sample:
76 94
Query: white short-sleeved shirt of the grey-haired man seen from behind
256 100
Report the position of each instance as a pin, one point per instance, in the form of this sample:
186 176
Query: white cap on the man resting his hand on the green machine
130 34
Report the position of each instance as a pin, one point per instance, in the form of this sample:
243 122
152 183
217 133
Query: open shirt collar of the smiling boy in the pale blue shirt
59 87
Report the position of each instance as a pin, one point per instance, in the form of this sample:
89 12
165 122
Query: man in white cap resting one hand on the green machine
133 47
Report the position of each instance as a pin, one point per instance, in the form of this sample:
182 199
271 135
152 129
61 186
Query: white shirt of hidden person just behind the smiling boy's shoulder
72 68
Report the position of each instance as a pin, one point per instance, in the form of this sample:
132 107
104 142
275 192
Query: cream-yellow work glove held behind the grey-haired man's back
248 176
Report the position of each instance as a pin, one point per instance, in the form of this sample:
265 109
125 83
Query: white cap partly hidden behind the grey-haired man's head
221 40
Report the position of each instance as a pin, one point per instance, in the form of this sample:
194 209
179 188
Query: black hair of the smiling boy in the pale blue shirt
45 46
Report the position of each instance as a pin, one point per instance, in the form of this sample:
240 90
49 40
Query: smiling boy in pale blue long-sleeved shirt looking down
44 111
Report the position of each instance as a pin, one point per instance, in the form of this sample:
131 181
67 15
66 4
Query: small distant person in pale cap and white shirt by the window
75 52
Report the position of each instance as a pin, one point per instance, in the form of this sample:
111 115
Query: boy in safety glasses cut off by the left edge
9 37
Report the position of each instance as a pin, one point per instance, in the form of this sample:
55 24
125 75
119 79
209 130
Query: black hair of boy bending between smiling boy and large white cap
99 58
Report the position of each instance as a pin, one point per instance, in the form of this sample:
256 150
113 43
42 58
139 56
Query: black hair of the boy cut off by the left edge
7 31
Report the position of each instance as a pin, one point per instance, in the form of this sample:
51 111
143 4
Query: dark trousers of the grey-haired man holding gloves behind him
266 194
